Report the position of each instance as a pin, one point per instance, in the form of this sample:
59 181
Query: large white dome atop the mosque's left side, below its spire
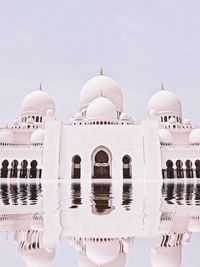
37 101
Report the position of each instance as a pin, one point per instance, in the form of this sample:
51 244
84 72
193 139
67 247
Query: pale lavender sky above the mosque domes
139 43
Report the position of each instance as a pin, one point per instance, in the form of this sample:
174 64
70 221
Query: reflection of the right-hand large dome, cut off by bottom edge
166 257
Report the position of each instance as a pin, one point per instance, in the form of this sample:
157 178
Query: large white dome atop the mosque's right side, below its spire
164 101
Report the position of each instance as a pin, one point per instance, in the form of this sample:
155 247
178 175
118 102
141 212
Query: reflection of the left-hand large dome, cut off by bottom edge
38 257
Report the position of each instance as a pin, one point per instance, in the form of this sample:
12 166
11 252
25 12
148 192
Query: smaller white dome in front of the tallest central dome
101 108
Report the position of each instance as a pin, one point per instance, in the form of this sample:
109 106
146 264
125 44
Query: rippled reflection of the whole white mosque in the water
115 214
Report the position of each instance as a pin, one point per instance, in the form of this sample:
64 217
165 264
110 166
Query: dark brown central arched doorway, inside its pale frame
101 165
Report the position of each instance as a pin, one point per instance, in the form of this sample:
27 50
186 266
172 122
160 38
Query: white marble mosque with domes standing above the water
101 140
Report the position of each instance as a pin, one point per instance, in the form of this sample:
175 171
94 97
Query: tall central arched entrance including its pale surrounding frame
101 163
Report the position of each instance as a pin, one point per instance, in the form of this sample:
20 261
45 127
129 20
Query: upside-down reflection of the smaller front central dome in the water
103 252
